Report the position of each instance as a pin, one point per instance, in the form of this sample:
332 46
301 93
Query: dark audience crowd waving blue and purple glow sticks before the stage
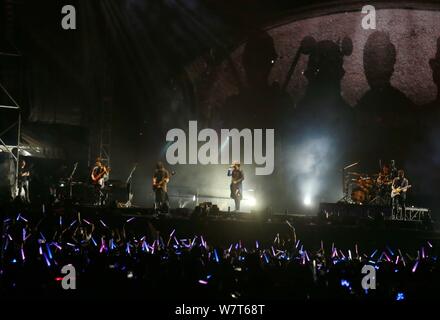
112 261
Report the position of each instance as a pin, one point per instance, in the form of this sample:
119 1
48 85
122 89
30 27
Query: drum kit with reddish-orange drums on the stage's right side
368 189
